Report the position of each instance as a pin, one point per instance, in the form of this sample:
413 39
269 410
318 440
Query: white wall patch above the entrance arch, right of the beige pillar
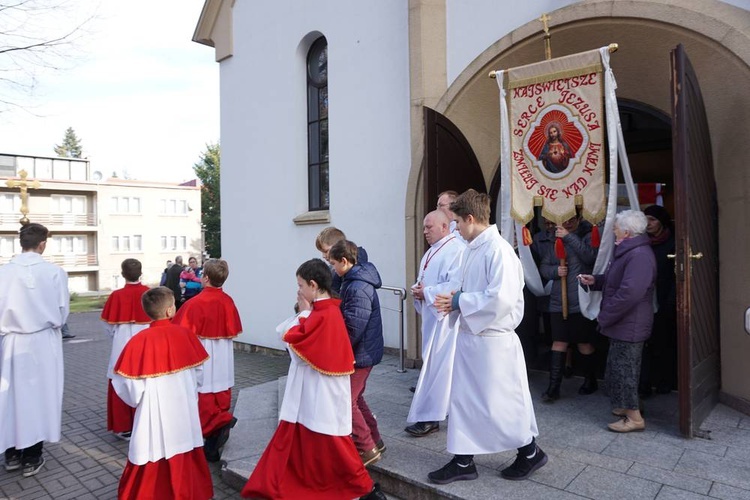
474 25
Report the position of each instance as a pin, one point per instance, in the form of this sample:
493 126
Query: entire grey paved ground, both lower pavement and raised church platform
586 461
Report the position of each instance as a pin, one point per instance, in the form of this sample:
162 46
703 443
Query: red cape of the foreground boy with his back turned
161 349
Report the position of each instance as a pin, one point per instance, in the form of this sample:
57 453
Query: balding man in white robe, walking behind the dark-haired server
440 262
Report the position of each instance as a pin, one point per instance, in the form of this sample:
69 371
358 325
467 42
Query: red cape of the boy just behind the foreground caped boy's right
210 315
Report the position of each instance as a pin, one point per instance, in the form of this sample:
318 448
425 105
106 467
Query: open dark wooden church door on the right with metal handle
697 257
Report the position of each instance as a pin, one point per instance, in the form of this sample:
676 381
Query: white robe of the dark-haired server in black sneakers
490 404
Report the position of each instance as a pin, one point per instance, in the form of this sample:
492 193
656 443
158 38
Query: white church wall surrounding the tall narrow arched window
264 147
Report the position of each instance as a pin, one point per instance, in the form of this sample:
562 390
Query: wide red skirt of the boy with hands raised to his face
299 463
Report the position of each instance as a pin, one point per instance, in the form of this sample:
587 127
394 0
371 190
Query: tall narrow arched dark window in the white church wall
317 125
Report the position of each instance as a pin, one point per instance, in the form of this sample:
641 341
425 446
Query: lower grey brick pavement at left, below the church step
88 461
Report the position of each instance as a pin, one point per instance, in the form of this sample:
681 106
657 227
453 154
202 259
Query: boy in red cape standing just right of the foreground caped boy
213 317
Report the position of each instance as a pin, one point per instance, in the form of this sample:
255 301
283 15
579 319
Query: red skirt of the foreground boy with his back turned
184 476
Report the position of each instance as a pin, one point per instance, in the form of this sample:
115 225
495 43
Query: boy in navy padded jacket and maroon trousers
361 309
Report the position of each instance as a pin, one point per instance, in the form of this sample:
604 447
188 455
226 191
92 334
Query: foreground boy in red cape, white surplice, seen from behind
158 373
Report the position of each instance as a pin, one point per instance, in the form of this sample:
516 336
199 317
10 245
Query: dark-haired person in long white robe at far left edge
34 304
